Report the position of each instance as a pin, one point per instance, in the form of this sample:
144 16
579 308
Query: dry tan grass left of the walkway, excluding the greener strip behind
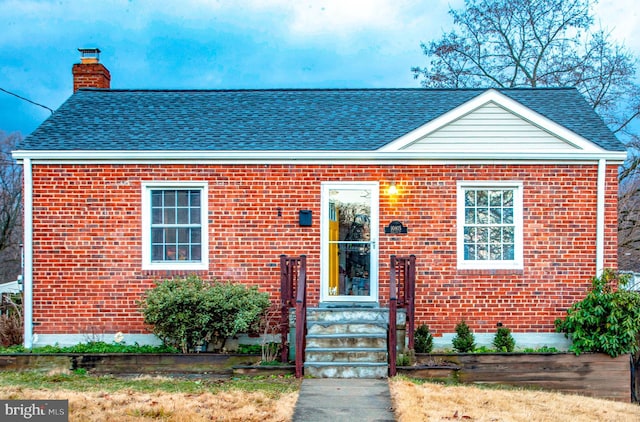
128 406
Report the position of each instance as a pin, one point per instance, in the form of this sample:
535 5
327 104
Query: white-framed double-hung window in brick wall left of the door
174 226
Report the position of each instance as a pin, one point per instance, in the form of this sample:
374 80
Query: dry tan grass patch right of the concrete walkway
433 402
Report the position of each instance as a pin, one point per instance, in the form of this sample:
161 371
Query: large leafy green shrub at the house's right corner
607 320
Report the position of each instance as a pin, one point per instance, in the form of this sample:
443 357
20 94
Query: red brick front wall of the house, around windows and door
87 239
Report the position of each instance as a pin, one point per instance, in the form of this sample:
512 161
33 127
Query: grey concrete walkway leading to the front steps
340 399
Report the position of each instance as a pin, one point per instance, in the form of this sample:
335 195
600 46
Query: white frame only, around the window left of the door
147 263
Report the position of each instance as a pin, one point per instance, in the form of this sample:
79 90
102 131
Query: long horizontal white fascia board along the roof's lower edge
303 157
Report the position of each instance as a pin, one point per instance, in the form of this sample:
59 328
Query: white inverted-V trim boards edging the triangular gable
510 105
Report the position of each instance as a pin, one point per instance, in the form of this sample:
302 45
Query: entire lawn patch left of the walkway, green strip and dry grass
106 398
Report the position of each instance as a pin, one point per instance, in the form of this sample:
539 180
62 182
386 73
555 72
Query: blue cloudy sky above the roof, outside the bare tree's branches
207 44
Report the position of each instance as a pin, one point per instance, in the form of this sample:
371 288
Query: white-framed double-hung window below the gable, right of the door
489 225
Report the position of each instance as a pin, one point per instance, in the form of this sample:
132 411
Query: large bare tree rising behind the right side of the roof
537 43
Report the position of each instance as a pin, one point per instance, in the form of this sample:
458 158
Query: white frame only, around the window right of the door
517 262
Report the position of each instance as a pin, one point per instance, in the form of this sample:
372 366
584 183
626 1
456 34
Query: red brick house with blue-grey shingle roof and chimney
507 198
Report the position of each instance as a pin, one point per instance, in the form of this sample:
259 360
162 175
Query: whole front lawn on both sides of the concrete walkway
106 398
